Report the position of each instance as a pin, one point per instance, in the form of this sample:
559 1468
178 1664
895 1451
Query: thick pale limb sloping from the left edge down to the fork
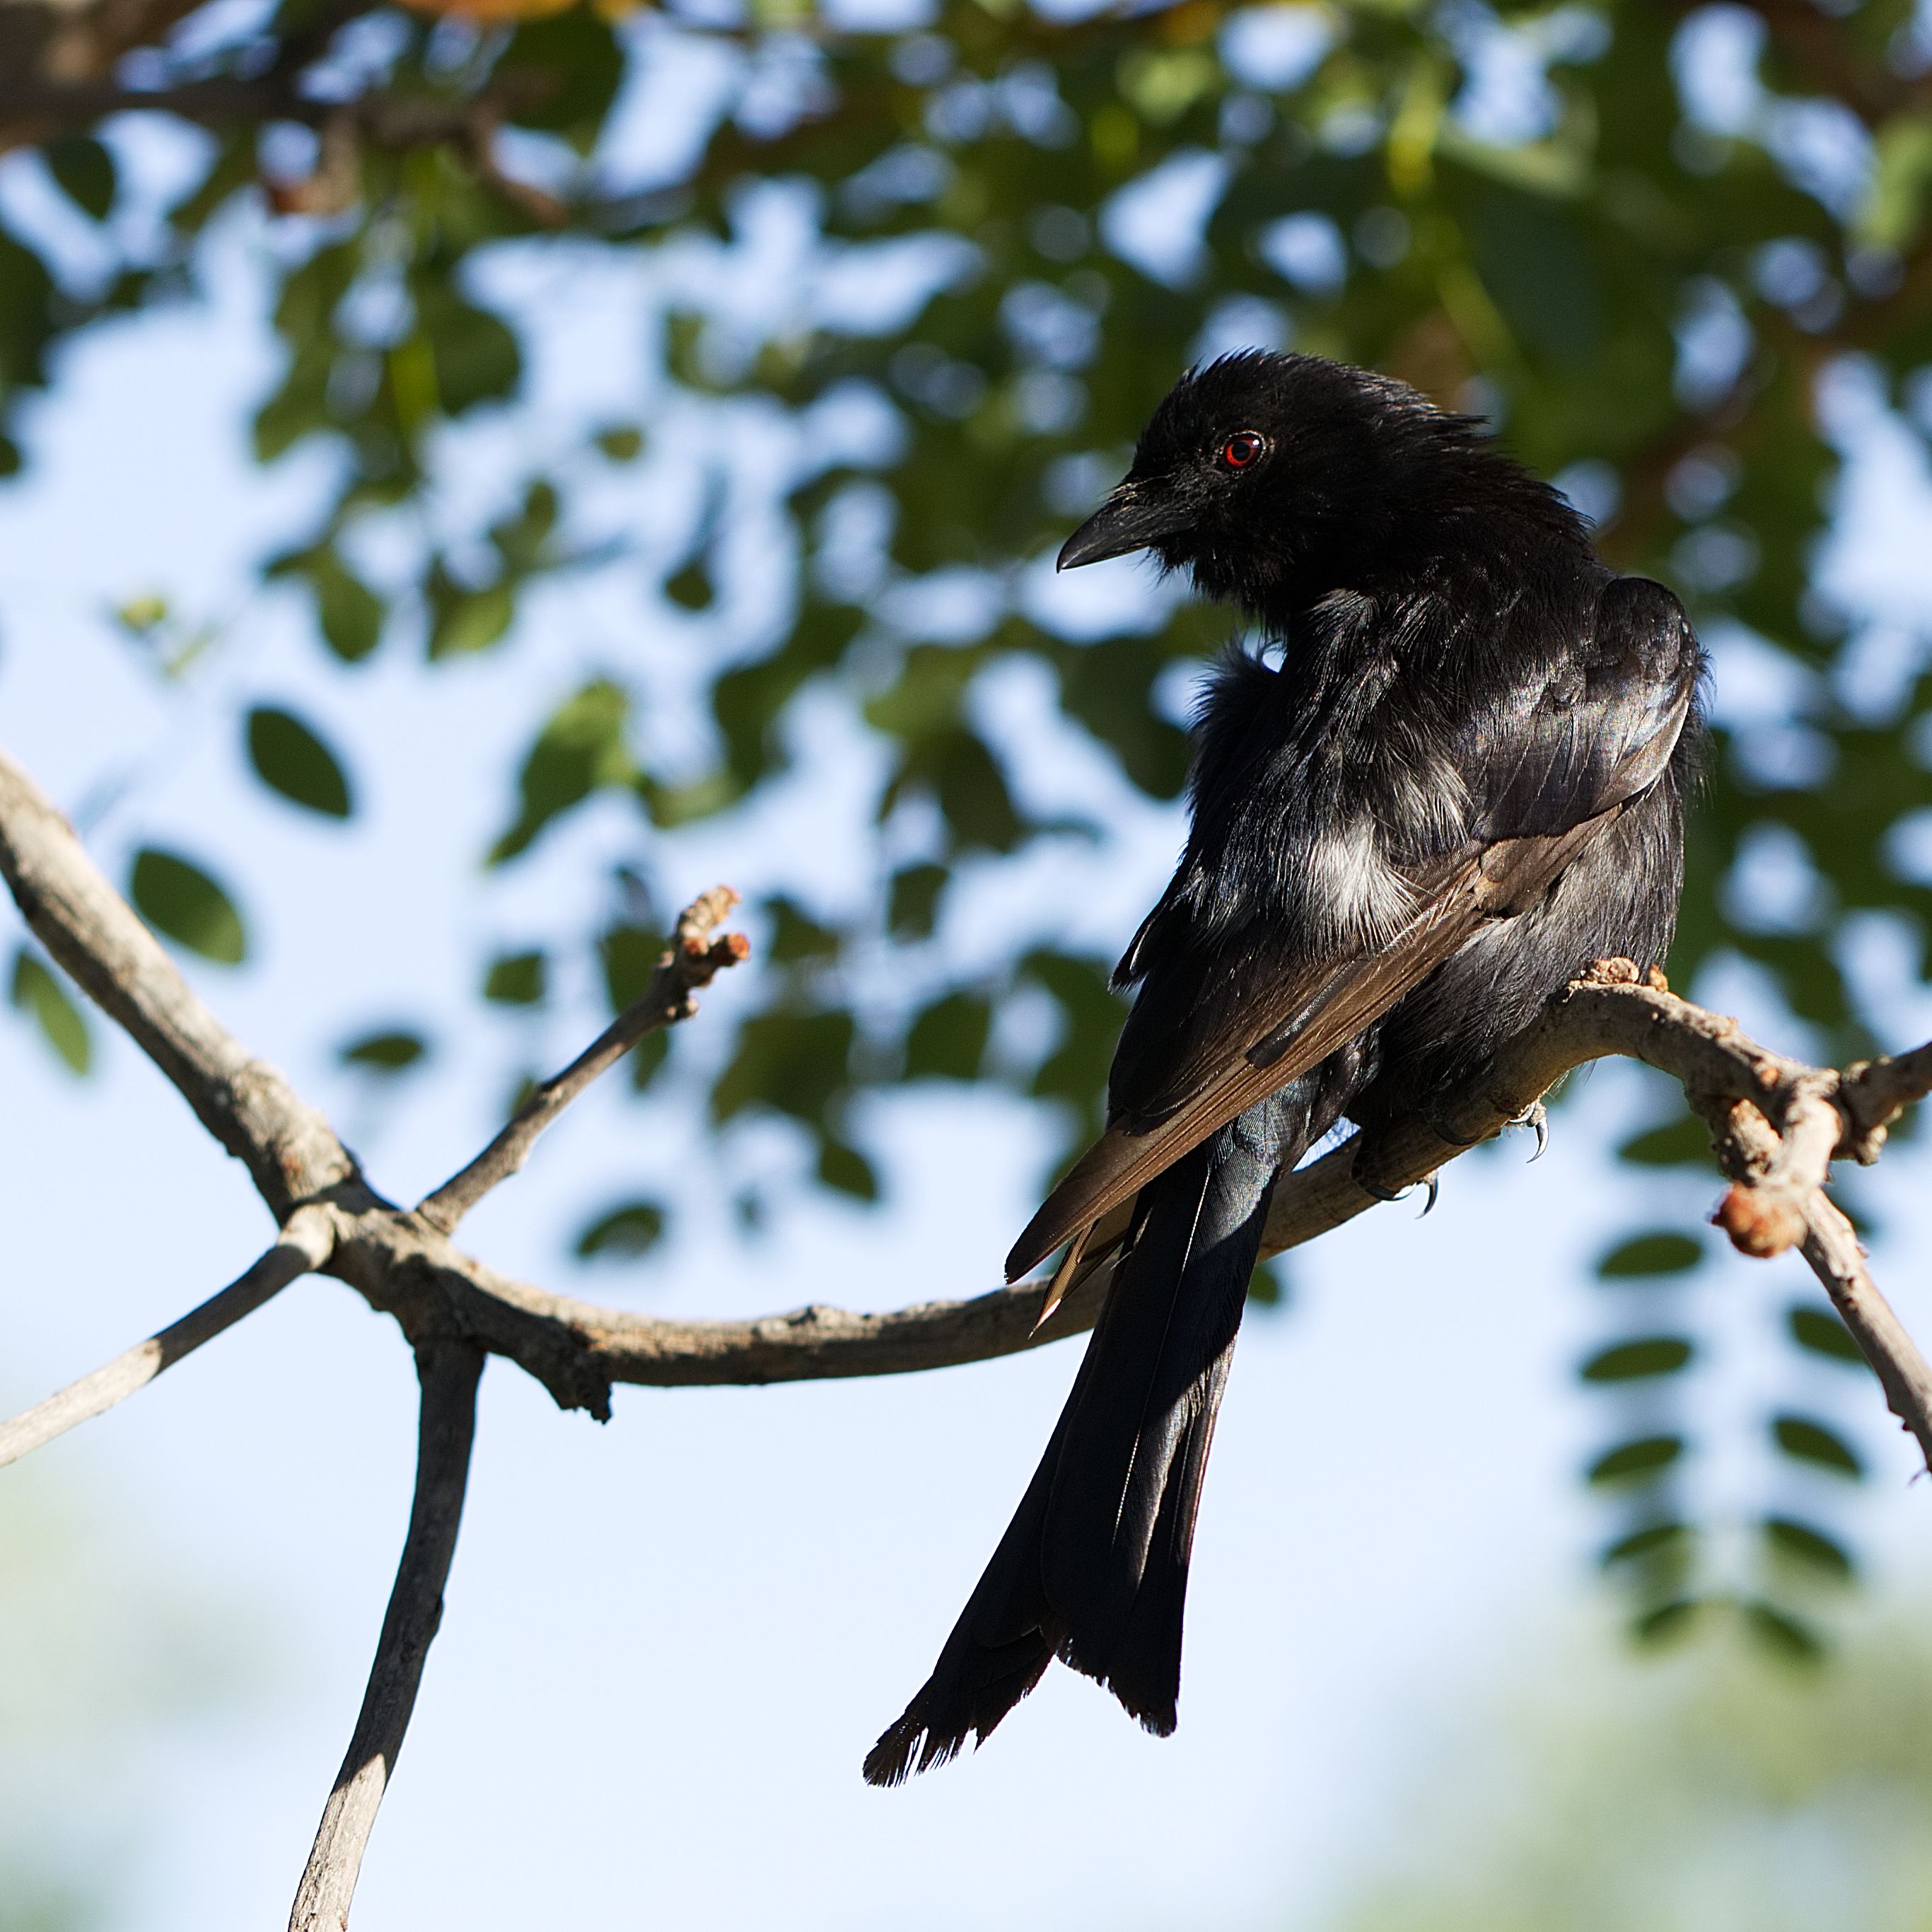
291 1151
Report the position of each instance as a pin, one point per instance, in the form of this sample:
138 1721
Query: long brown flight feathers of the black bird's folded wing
1299 1021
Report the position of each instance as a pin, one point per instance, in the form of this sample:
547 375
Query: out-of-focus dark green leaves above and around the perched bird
1649 241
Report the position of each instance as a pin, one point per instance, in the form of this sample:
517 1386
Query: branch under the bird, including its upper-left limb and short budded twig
407 1264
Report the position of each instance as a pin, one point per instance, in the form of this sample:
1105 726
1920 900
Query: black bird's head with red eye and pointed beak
1263 474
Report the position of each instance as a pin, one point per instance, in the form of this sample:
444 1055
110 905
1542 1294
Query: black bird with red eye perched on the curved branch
1462 785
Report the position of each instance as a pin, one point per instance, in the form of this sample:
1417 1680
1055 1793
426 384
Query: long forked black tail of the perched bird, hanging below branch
1094 1566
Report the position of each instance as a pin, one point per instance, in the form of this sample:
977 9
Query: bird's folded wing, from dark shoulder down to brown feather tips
1556 766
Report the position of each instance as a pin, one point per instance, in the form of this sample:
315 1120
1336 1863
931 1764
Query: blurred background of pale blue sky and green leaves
476 482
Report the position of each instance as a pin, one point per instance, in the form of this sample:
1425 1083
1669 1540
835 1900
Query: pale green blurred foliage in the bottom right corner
1734 1796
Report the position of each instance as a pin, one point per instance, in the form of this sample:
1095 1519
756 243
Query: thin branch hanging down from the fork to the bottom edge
449 1373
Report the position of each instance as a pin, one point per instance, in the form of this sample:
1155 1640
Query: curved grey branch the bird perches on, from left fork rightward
579 1351
